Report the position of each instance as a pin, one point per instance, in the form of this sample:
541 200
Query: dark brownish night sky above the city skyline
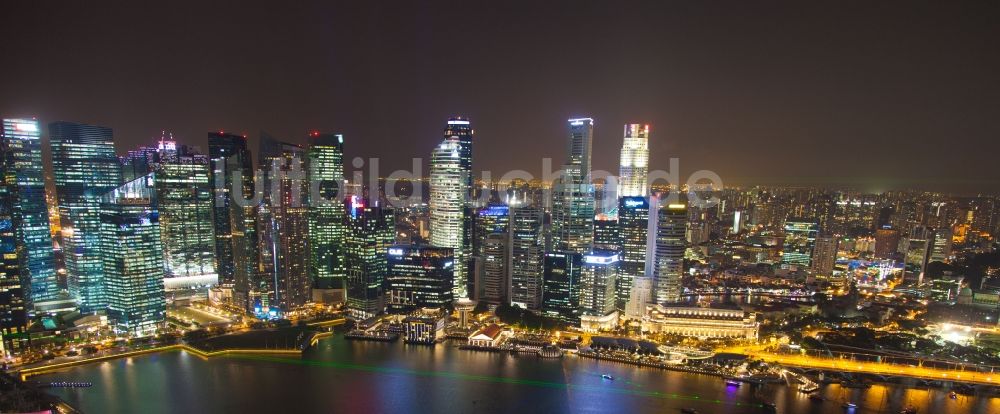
873 94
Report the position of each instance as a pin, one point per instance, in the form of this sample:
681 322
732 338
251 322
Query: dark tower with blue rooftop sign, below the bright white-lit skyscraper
633 221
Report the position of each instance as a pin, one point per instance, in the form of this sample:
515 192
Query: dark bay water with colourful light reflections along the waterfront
374 377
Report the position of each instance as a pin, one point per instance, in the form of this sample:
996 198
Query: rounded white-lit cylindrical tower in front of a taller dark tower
449 190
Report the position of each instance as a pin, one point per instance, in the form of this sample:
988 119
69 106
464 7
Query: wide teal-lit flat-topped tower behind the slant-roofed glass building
84 167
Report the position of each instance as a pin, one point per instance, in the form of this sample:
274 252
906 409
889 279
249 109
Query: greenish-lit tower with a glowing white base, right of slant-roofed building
184 203
